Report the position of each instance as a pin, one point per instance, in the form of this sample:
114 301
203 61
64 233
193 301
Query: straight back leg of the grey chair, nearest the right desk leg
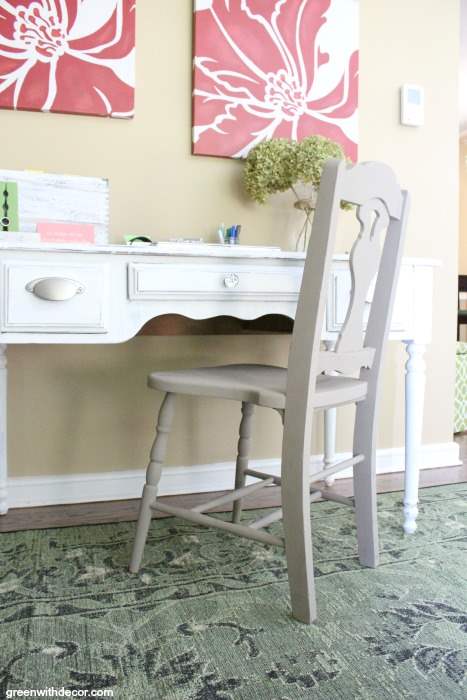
364 480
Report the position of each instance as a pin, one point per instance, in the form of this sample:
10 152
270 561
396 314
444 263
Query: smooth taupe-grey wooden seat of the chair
263 385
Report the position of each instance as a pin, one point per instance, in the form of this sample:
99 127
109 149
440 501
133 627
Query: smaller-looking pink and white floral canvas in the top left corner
73 56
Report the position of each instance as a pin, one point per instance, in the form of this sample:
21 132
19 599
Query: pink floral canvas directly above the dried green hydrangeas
274 68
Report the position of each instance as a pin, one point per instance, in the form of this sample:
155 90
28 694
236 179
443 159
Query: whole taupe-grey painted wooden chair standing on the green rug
307 384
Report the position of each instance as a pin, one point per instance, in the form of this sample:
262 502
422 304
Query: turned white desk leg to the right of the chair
414 399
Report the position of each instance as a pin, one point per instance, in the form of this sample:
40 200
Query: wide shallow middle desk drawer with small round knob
212 281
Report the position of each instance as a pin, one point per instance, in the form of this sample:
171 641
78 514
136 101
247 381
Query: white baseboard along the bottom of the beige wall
119 485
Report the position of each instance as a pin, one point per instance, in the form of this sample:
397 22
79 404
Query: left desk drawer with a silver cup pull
54 298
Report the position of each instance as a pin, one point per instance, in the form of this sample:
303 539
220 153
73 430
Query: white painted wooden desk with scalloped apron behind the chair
106 294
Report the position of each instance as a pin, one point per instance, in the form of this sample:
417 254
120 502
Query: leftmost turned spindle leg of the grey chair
153 475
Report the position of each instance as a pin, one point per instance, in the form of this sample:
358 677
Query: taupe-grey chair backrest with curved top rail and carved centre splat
381 209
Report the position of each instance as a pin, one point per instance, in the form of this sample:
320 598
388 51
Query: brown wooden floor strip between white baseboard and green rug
123 511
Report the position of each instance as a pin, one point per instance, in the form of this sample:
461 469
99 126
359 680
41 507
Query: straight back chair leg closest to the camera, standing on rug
296 520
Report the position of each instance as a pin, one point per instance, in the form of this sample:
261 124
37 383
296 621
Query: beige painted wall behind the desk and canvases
76 409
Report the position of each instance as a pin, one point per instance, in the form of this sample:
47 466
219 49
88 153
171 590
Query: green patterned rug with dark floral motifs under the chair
208 616
